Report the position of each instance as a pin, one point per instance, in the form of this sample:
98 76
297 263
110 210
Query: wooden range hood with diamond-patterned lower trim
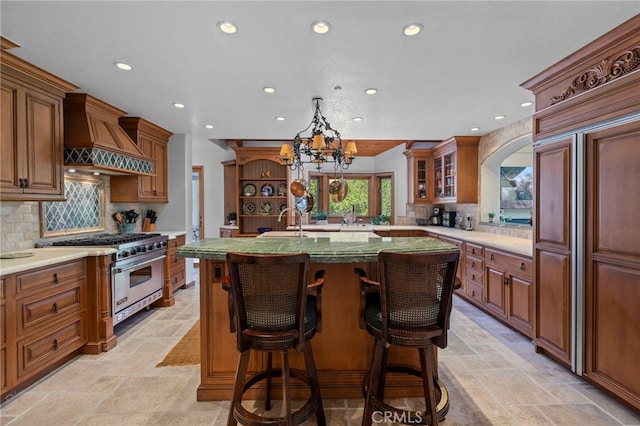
93 139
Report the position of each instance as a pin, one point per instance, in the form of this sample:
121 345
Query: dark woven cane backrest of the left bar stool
269 296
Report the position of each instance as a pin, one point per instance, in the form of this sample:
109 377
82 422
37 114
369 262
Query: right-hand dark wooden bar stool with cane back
413 309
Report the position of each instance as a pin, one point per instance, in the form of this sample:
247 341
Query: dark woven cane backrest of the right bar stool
416 295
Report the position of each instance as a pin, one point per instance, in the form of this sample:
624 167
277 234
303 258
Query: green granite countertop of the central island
321 250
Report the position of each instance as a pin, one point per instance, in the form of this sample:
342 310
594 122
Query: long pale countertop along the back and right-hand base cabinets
520 246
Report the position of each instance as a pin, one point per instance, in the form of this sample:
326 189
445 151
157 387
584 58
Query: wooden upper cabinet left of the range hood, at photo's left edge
31 131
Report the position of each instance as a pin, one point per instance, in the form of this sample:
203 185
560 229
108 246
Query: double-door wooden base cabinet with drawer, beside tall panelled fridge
509 289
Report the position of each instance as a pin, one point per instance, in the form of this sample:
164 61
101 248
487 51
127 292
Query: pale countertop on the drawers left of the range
48 256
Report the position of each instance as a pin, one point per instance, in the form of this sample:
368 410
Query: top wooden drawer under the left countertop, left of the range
48 277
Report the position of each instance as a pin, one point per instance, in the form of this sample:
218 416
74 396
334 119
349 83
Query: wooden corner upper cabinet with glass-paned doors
446 173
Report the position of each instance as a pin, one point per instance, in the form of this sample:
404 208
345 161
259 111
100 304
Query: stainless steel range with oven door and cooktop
137 273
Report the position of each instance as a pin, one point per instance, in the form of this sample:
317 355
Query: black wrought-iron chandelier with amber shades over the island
323 145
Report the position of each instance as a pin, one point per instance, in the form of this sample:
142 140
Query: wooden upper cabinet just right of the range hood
153 141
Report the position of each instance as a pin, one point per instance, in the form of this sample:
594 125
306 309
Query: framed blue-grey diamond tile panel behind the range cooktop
83 211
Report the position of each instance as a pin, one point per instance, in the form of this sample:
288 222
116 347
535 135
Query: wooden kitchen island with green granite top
342 350
